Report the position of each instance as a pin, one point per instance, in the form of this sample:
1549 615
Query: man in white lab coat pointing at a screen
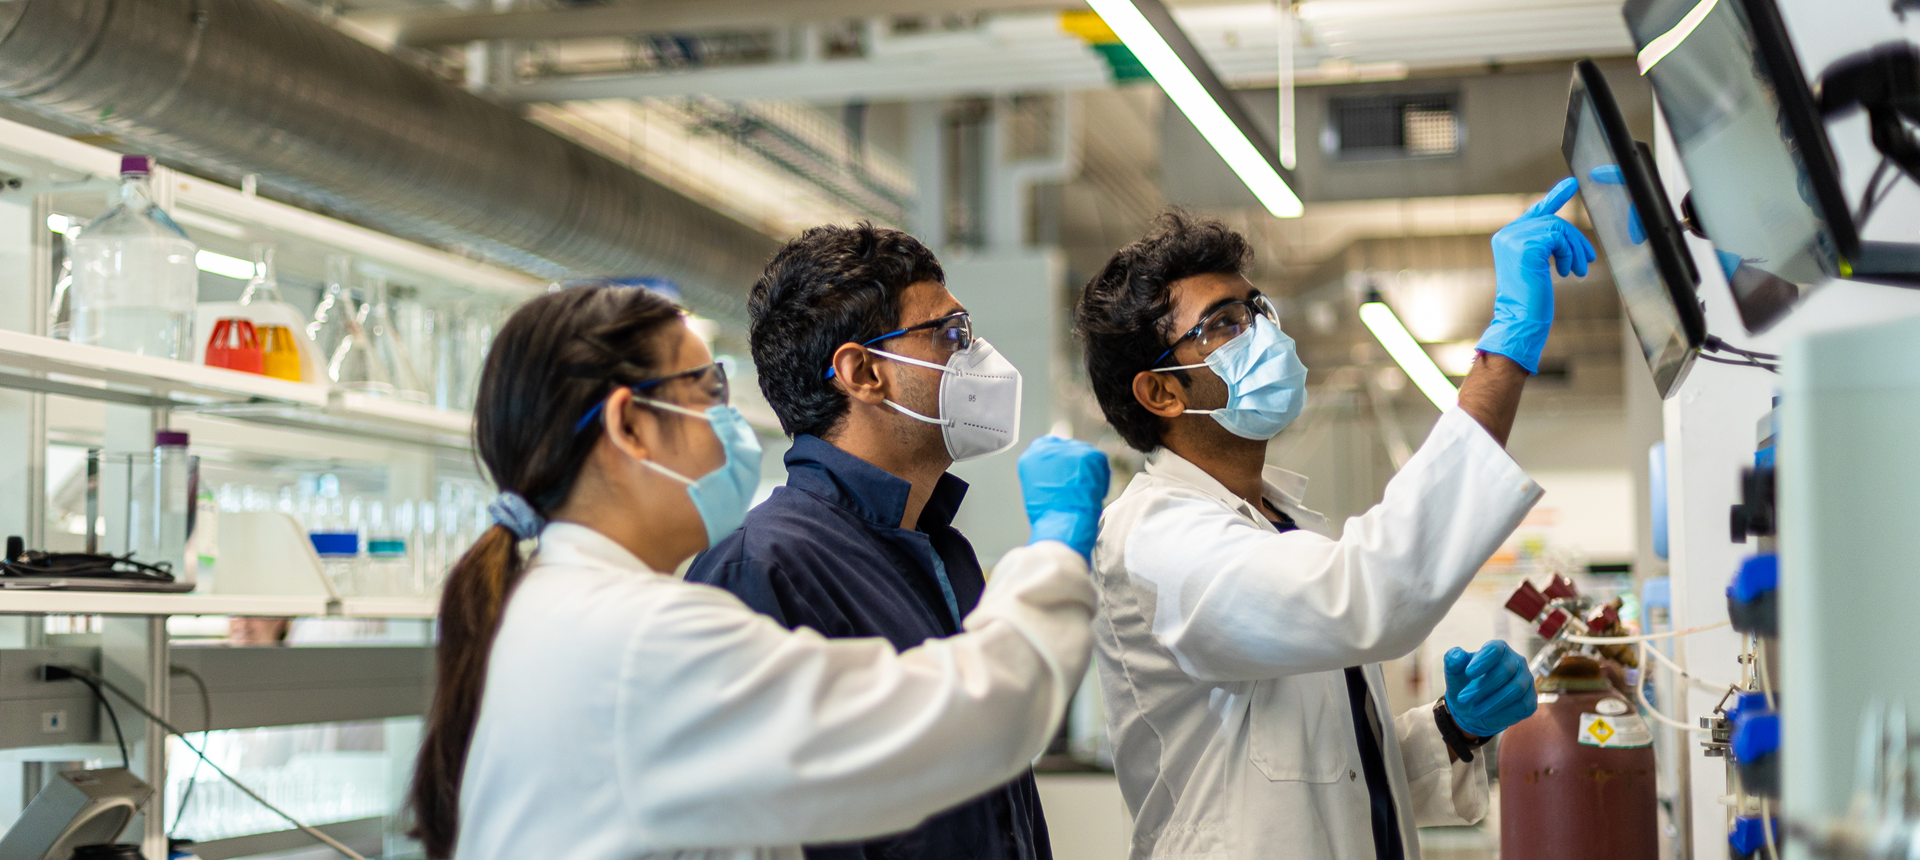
1237 644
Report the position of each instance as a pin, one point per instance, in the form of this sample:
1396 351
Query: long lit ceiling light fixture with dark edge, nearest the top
1163 47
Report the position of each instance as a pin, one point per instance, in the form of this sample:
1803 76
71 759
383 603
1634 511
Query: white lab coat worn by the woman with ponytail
629 715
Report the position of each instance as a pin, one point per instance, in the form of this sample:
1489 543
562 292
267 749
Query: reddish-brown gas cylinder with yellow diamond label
1577 778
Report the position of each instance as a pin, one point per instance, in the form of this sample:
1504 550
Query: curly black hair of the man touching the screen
1124 318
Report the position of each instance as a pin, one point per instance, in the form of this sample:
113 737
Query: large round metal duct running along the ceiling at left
235 87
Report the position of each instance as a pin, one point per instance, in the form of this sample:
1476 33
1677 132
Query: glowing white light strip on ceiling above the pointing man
1193 99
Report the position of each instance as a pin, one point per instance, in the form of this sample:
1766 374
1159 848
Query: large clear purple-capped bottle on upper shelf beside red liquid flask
135 279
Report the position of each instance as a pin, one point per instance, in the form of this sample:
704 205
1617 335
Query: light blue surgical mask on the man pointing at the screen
1266 381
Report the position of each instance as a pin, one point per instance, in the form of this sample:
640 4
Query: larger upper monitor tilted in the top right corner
1748 130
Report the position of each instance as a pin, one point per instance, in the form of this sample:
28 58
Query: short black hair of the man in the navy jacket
828 287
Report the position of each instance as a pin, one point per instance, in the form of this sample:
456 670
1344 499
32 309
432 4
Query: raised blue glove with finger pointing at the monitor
1525 256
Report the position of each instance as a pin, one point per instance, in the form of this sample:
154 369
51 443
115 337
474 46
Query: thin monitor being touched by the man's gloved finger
1637 229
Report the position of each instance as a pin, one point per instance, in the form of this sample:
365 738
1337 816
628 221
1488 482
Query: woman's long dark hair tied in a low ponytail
552 362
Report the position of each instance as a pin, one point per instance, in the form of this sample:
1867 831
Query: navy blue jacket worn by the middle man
828 552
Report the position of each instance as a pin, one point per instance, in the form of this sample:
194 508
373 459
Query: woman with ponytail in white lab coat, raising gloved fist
592 707
